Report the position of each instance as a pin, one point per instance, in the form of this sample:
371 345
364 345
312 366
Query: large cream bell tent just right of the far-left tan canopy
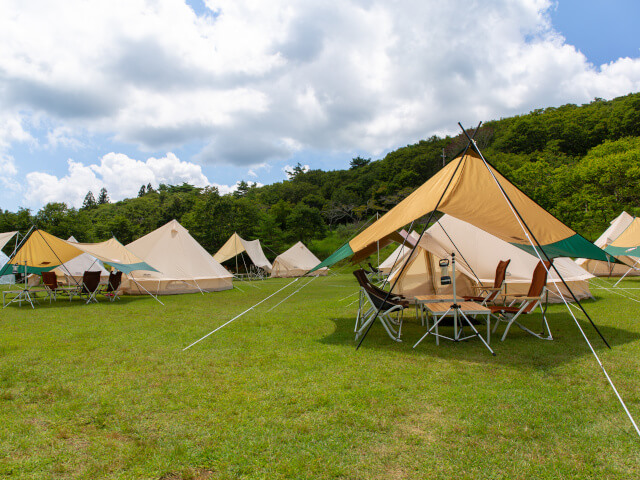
183 265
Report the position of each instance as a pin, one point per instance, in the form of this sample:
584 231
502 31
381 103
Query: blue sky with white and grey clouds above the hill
119 95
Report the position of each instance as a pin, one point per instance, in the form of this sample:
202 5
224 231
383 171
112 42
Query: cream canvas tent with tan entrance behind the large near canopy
477 255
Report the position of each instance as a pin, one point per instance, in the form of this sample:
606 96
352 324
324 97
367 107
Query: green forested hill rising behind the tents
582 163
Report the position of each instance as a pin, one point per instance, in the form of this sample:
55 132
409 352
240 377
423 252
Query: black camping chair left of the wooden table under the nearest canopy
375 297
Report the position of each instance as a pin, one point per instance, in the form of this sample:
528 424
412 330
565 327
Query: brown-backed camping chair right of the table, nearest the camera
528 304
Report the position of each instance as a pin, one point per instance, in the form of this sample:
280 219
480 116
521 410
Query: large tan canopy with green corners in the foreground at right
466 189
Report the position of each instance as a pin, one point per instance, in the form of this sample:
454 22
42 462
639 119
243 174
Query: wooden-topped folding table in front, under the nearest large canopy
440 310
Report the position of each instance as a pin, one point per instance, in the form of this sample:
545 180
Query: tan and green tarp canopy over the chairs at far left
42 252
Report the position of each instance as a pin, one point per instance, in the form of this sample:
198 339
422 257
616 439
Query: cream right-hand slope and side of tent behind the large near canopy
482 252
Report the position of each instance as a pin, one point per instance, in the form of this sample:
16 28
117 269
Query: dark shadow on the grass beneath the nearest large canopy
519 348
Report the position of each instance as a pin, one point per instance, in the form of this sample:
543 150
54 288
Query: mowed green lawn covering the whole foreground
105 391
